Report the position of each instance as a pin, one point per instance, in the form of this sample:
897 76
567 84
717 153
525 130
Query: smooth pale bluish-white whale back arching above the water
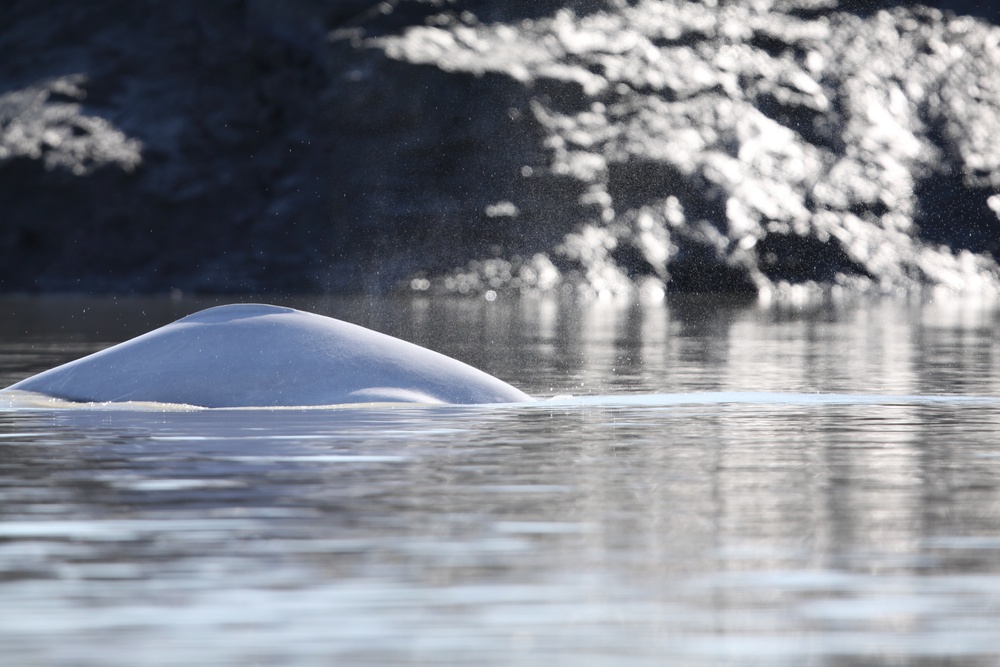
256 355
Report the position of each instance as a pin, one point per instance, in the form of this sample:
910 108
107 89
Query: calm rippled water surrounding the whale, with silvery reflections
730 485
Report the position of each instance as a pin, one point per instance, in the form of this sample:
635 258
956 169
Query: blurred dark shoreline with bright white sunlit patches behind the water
309 146
